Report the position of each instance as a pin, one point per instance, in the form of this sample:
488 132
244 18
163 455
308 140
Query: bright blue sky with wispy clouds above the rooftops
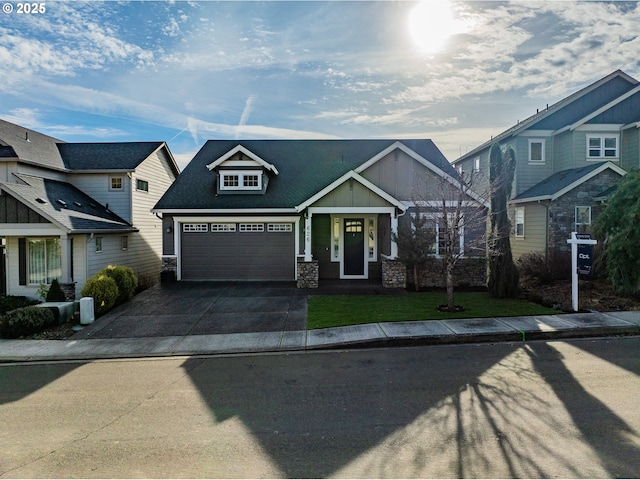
185 72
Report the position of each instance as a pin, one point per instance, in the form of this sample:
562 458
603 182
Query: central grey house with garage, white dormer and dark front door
296 209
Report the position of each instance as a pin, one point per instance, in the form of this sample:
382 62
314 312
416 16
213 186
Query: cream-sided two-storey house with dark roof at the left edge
69 209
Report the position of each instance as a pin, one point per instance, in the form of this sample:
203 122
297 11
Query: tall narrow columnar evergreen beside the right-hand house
503 275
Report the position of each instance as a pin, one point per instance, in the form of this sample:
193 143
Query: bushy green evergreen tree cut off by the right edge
618 226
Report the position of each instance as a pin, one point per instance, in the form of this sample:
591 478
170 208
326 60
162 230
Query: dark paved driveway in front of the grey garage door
204 308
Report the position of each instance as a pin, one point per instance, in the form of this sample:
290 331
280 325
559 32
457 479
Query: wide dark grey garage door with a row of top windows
238 251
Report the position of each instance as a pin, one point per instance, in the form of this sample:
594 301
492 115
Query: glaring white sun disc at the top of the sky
431 23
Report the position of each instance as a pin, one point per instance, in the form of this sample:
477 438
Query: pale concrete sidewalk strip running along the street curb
506 329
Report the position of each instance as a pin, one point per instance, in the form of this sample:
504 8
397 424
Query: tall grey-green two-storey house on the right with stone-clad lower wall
568 156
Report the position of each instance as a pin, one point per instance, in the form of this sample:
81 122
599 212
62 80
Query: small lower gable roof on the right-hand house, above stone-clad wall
560 183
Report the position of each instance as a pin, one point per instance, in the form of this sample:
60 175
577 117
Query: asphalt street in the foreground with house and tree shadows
540 409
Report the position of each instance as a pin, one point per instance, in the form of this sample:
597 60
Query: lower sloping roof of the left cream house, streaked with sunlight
65 205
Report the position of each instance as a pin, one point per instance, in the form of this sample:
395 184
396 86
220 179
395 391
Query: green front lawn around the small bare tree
341 310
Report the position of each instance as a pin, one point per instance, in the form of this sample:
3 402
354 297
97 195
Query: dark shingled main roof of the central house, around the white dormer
305 167
